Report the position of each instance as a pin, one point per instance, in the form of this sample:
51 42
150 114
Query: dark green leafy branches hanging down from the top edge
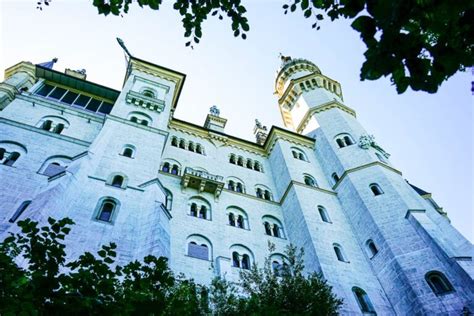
419 44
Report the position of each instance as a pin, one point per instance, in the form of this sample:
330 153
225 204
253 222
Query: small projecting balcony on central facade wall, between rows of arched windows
202 181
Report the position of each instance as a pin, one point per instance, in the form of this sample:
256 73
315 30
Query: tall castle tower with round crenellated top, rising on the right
405 238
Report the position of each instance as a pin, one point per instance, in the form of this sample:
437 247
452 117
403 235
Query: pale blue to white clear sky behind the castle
430 136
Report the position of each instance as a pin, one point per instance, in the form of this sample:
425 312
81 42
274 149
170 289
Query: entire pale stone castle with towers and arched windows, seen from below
126 171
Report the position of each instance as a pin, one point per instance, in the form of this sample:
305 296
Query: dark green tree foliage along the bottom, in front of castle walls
37 279
